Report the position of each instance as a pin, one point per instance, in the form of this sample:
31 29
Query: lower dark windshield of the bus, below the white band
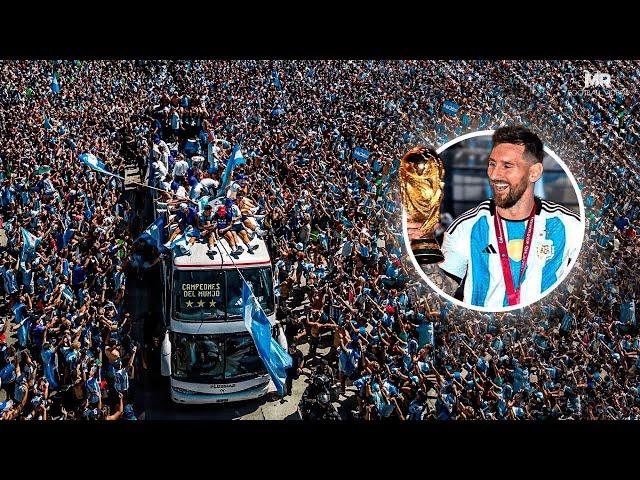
215 358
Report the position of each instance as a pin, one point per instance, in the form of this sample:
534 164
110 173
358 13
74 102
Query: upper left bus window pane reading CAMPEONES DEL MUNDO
198 295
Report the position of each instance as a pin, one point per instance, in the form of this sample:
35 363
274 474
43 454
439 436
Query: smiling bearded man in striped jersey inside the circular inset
512 248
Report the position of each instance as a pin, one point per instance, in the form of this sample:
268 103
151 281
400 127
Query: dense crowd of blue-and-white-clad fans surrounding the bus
331 217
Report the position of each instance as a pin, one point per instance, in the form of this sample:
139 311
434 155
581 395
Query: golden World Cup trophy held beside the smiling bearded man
421 184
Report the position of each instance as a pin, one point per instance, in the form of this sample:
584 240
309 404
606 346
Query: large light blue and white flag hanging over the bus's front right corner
275 358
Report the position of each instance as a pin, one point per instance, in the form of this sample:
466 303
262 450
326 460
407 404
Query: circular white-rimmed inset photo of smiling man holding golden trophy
493 220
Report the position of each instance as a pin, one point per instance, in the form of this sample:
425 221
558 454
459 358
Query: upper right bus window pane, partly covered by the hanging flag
260 281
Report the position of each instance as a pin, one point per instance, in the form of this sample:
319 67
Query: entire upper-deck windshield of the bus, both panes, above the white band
216 295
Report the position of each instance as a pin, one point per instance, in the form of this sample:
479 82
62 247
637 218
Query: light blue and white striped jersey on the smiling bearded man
470 249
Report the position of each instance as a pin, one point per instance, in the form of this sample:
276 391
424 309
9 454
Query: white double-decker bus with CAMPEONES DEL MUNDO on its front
207 352
